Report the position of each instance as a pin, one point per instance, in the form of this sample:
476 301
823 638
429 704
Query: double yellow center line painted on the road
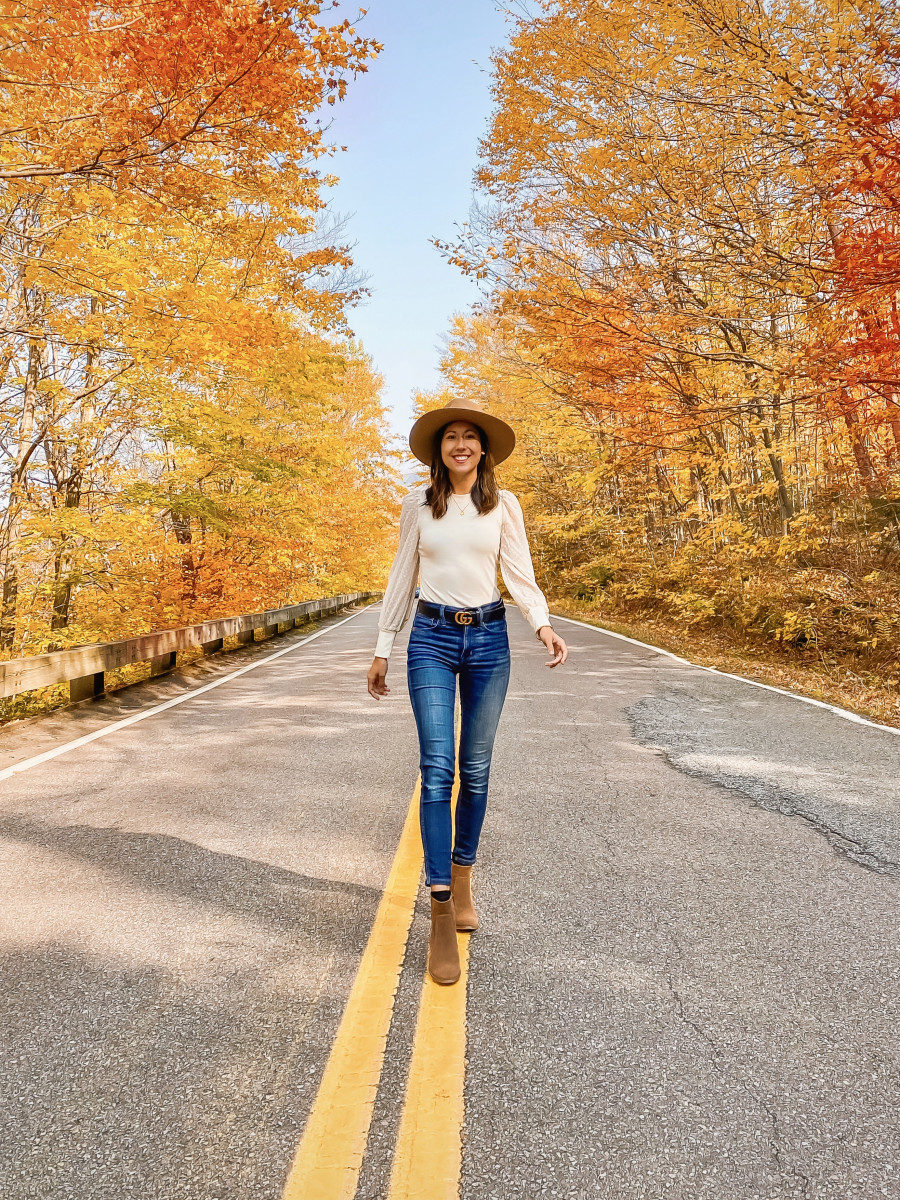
428 1157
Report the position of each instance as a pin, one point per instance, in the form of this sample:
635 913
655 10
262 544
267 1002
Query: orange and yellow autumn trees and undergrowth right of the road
689 237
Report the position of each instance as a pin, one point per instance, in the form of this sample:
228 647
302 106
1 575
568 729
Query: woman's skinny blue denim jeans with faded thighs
439 655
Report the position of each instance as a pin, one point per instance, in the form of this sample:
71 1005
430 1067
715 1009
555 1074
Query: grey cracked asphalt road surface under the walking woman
686 983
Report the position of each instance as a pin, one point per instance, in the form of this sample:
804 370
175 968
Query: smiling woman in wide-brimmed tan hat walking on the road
452 537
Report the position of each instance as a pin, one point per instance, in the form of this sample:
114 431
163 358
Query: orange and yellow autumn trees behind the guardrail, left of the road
187 427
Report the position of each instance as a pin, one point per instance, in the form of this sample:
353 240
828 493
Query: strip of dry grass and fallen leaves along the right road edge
803 673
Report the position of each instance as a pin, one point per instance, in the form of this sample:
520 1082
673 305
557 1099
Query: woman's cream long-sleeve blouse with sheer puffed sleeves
455 562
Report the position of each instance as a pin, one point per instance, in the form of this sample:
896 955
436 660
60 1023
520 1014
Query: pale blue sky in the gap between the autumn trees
412 127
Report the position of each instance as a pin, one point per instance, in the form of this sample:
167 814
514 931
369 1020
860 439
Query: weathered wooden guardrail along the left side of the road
85 668
